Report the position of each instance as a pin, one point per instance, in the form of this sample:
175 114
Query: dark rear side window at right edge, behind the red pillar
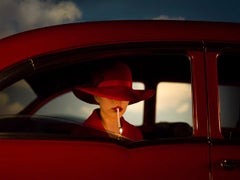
229 95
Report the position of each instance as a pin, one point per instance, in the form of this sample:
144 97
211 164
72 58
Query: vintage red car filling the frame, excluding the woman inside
191 126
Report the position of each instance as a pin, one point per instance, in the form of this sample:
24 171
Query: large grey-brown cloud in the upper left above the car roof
21 15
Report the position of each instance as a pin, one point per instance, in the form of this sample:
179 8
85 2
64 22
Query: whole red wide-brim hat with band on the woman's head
113 82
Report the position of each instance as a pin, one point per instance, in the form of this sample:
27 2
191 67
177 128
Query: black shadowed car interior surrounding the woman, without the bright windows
53 74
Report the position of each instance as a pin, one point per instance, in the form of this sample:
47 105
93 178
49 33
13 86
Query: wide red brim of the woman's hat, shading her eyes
118 93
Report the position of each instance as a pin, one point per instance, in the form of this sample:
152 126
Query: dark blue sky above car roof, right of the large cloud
209 10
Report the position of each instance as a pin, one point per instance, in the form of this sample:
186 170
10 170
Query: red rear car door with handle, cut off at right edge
223 84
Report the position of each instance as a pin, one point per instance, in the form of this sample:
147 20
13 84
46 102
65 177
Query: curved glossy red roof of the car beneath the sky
64 37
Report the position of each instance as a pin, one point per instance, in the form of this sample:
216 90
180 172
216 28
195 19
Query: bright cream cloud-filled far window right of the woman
174 102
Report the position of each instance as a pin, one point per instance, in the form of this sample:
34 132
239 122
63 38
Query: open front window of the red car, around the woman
46 91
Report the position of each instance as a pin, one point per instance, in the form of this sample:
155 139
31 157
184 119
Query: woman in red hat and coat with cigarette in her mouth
112 91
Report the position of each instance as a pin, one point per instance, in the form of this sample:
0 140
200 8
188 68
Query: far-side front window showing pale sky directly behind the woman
69 106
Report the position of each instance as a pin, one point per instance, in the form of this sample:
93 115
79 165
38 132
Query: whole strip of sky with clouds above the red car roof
21 15
